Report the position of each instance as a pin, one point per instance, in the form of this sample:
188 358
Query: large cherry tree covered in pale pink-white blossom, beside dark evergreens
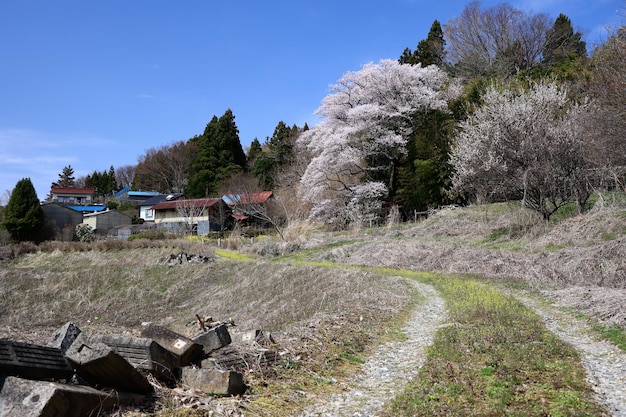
366 120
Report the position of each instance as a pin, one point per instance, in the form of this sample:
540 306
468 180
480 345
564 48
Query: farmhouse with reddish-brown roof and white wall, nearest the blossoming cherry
191 216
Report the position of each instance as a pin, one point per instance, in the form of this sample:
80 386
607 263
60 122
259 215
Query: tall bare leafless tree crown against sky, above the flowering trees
500 40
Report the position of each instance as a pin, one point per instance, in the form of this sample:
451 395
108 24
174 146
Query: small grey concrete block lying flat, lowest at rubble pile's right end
213 381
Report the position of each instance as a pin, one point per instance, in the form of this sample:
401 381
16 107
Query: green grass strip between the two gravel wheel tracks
495 358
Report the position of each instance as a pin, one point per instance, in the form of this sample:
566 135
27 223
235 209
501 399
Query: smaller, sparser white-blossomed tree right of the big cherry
526 144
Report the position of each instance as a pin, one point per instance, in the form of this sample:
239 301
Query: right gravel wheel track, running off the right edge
605 364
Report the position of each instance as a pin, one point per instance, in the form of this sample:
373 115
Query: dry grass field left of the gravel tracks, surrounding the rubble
324 318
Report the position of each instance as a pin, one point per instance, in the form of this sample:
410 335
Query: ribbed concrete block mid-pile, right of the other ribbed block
142 353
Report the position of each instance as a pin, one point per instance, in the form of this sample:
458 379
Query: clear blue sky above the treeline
96 83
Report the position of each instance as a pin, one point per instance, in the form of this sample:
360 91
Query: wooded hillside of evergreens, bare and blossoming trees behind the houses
496 104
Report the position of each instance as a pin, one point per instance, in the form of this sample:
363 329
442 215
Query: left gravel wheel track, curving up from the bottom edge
391 366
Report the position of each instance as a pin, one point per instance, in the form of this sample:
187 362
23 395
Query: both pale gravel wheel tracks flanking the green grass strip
396 363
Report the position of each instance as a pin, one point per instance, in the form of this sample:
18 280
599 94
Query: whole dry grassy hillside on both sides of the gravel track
328 318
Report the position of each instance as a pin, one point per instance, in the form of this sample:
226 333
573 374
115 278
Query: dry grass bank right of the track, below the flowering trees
505 241
